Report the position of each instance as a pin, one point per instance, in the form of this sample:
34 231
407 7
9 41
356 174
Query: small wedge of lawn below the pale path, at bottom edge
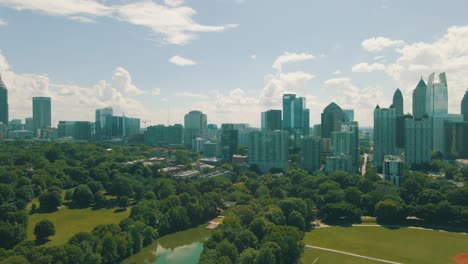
325 257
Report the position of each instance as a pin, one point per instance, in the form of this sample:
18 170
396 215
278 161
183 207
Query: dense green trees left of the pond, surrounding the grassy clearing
88 175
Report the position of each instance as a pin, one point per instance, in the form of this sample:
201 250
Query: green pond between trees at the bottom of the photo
181 247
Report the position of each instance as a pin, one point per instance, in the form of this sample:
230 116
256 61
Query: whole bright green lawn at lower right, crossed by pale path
404 245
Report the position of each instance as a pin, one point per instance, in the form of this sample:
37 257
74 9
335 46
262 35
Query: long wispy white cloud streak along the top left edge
172 22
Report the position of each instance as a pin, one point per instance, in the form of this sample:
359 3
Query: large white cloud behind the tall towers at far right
448 53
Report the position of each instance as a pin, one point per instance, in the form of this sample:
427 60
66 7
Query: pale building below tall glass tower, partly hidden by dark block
438 130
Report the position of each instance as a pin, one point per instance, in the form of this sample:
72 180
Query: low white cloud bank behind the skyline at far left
70 101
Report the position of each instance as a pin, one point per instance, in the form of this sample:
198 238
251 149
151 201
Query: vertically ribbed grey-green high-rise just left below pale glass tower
418 141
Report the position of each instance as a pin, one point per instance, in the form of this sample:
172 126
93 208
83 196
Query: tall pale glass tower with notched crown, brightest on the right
437 95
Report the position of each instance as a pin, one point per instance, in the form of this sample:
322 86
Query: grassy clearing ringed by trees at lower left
71 221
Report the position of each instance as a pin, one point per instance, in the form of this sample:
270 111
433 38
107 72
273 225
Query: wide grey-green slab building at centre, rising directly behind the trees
269 149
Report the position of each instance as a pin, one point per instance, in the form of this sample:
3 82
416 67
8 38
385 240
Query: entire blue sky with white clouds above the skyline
231 59
